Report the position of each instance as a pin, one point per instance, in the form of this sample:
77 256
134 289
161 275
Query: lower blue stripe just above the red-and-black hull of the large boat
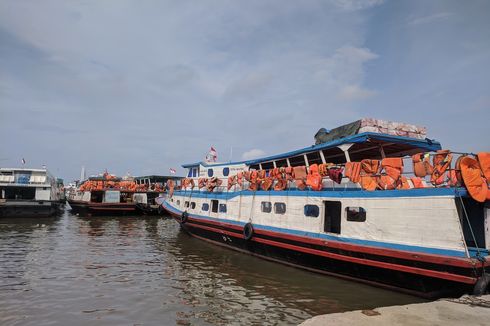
370 243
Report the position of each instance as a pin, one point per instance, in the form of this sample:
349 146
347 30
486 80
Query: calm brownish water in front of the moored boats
146 271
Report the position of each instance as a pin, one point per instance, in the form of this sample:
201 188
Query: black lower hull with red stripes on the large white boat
426 277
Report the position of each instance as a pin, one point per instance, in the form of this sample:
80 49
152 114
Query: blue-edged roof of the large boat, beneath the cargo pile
368 143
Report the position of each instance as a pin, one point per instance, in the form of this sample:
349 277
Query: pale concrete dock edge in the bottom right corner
467 310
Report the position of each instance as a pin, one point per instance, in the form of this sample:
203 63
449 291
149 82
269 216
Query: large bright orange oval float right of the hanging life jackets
473 179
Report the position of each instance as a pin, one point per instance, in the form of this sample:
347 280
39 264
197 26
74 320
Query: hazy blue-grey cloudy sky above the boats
144 86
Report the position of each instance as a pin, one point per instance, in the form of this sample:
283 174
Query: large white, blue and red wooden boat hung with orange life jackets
346 207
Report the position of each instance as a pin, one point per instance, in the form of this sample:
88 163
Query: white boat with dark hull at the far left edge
29 193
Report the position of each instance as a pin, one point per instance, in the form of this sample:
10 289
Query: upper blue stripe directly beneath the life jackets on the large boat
341 193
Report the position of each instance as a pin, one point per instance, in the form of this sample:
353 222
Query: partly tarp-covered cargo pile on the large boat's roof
371 125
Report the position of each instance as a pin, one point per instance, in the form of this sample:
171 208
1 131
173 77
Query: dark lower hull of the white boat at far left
26 209
